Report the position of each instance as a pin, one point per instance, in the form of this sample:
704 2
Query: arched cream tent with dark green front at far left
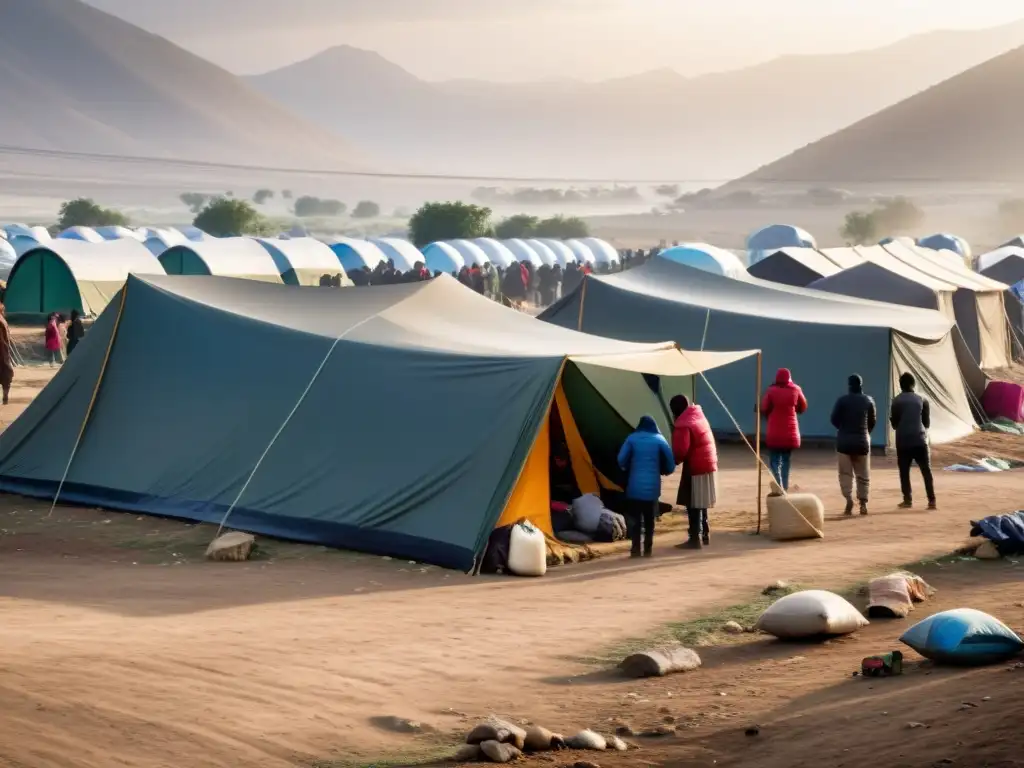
66 275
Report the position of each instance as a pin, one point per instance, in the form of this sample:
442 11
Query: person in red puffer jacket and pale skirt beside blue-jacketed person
694 447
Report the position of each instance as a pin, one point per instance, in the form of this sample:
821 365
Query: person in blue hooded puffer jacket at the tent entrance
645 457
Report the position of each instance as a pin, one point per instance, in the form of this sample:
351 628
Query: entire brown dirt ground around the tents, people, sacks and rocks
123 648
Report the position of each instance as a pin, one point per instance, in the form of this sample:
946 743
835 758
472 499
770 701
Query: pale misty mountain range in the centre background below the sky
657 124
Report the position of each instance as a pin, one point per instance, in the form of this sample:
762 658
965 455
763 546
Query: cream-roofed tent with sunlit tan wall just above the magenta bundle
978 303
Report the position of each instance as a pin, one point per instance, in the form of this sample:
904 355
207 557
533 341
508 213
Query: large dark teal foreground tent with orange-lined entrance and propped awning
368 432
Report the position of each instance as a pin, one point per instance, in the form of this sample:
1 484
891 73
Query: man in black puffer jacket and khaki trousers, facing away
855 417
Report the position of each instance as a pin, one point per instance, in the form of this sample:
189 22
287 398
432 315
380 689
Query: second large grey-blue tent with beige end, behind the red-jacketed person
822 338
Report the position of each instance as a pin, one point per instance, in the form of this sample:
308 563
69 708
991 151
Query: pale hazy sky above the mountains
538 39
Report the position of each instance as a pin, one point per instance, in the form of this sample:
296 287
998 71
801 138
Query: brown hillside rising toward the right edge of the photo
966 130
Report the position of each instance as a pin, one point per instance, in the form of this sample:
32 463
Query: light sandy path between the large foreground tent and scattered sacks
277 664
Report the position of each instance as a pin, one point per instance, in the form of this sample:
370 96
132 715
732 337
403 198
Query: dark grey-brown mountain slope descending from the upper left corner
75 79
